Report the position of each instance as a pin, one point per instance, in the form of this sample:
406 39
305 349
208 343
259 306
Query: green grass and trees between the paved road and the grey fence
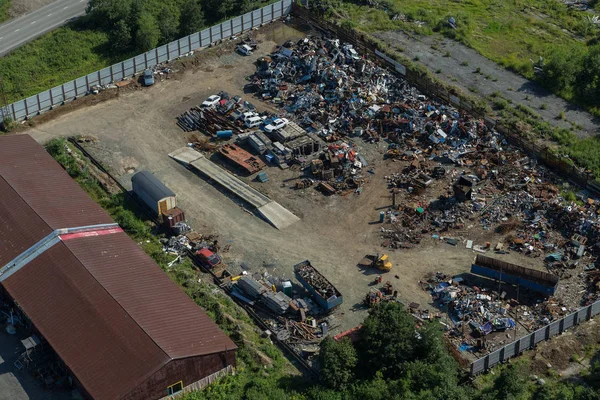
112 31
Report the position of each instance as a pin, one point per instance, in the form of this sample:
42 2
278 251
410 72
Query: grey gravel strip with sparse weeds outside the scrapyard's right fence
431 52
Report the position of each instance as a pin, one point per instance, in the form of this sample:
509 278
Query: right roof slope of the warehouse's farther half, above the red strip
45 186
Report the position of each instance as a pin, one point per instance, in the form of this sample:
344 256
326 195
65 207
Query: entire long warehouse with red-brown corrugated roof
119 327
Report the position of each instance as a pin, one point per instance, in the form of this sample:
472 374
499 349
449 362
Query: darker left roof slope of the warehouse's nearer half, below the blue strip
104 347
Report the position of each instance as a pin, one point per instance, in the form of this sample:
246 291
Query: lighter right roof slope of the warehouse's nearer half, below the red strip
159 307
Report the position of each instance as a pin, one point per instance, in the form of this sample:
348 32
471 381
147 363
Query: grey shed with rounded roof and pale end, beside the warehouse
153 192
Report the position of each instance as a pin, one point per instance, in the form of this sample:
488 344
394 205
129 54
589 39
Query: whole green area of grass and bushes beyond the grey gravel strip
515 34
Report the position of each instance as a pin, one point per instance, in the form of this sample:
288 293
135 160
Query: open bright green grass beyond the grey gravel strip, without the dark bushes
509 32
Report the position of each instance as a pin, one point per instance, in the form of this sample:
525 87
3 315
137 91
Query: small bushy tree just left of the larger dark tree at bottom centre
338 360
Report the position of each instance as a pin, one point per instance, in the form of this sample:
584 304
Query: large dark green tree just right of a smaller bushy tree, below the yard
387 339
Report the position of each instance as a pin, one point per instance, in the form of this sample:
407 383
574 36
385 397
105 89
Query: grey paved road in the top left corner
19 31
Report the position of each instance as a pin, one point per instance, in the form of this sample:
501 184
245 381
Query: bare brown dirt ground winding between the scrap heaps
137 131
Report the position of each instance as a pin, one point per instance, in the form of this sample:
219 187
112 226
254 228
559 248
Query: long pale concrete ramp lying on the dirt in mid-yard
270 210
